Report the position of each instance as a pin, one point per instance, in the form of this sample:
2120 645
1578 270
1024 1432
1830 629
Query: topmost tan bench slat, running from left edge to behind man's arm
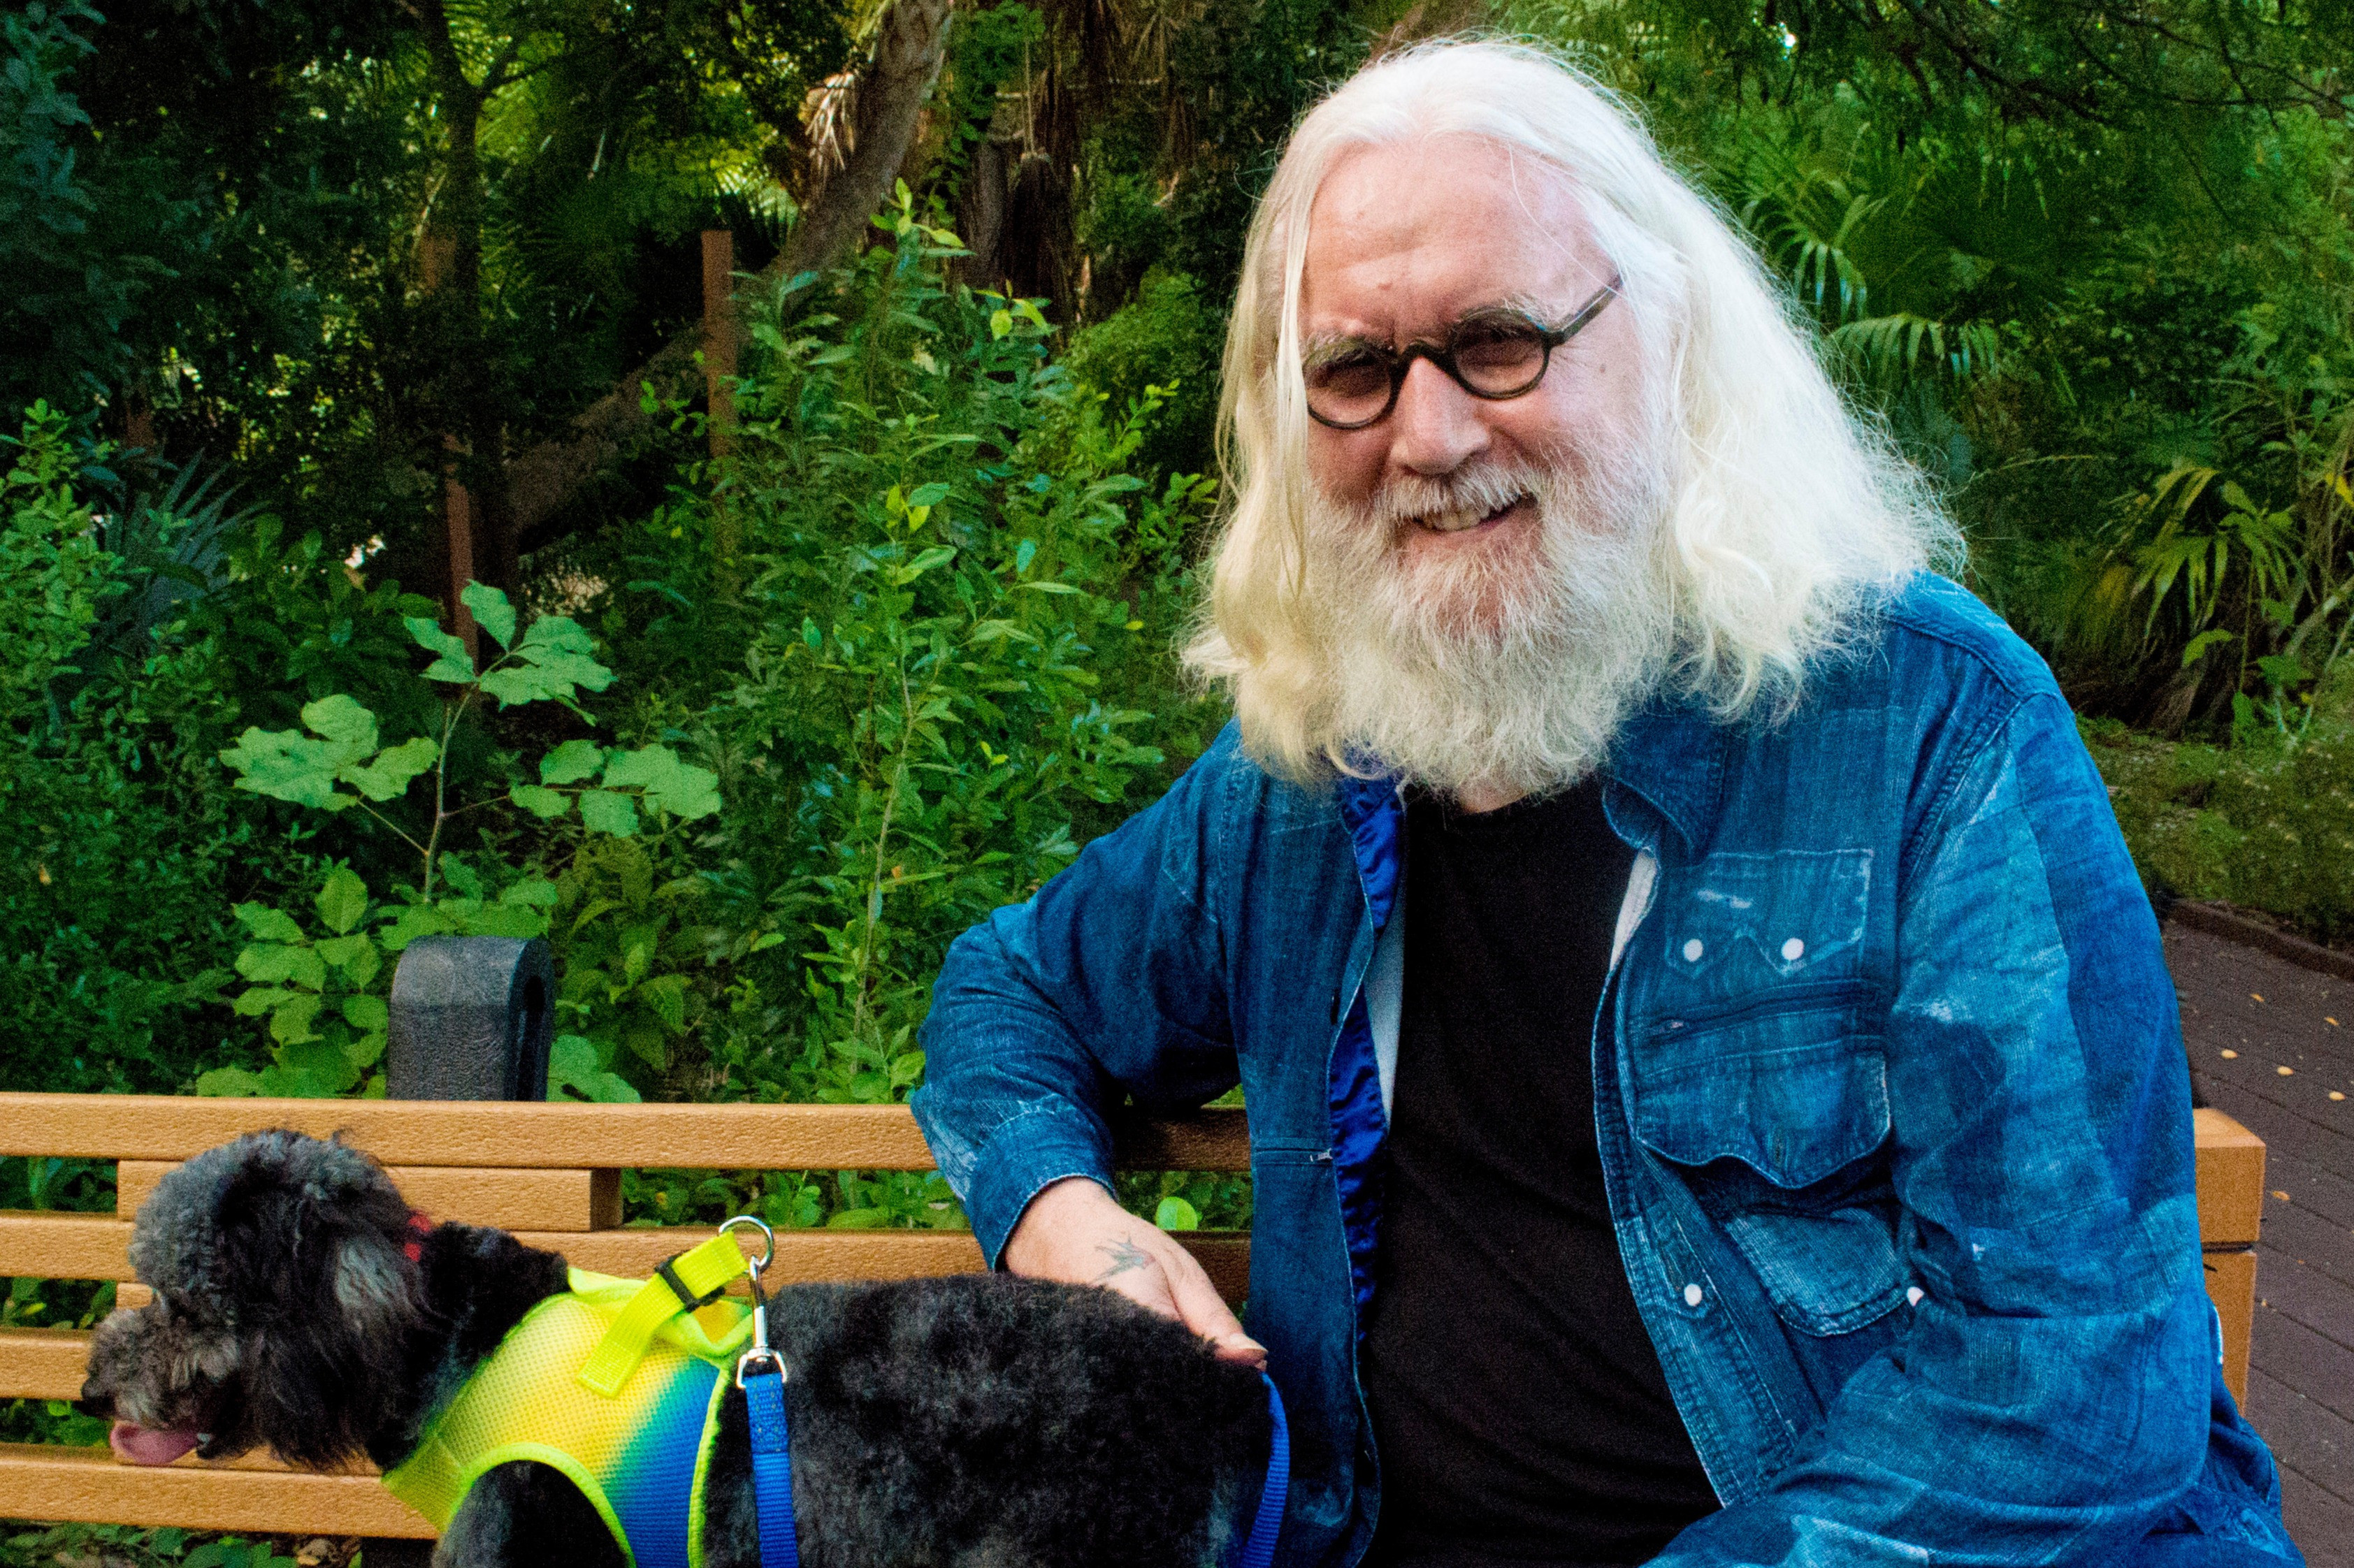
557 1136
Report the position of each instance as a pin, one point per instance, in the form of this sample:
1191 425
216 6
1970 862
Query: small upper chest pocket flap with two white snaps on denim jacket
1769 919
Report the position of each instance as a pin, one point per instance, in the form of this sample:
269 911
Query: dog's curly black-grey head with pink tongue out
286 1289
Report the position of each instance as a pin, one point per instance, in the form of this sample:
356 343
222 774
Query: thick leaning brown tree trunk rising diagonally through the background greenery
547 481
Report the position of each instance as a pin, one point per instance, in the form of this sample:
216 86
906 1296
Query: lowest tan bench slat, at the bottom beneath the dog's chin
86 1484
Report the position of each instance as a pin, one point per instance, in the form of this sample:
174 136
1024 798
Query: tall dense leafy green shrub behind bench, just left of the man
936 703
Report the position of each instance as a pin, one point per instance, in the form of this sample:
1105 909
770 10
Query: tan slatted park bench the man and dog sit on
552 1174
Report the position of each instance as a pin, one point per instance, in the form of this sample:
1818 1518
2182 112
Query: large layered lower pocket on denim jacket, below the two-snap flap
1774 1117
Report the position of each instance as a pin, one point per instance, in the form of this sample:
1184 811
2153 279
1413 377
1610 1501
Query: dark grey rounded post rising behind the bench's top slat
472 1021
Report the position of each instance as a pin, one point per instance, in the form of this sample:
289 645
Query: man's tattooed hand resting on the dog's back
1079 1235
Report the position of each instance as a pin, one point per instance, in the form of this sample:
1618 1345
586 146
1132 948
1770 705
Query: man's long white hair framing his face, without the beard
1781 512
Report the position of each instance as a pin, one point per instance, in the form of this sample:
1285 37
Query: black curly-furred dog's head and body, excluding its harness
971 1421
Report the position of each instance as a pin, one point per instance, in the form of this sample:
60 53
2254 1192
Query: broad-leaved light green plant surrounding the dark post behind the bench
326 997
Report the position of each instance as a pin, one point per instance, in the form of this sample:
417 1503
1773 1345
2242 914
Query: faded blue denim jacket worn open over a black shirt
1889 1087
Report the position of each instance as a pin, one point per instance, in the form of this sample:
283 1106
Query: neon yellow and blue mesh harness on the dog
618 1386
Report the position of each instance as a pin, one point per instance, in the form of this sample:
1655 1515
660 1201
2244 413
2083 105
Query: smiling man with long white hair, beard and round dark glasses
1715 1091
